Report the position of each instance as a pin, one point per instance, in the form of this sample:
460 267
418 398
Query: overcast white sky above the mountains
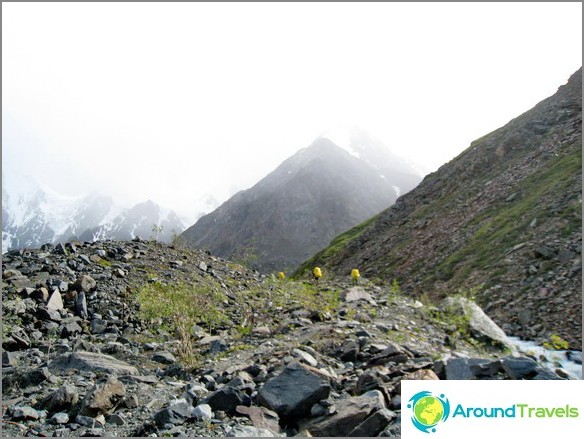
172 101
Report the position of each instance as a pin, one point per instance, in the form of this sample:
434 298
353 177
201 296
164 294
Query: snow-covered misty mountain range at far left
33 215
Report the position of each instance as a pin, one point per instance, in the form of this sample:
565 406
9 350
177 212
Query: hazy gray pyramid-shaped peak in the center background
297 209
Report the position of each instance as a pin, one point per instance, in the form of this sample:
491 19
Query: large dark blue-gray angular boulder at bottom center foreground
294 391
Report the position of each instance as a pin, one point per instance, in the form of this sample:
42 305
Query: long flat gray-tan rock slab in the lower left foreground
89 361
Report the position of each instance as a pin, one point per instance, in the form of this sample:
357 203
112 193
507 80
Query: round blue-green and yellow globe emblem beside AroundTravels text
428 410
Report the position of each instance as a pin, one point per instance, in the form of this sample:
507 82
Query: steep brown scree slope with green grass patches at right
502 220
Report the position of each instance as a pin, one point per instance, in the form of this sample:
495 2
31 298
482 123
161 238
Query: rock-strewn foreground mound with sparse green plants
90 350
